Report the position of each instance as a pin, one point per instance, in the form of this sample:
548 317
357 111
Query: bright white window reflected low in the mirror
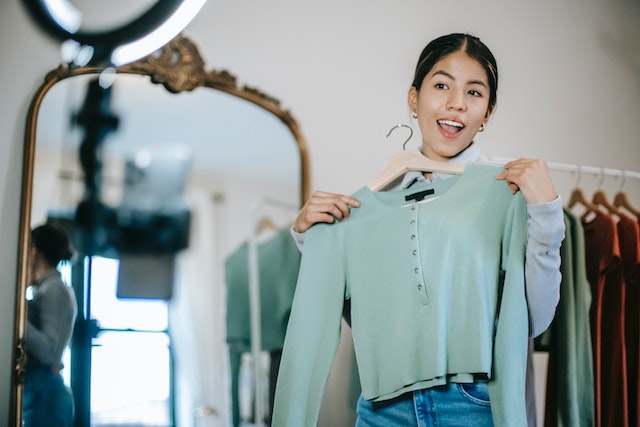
130 357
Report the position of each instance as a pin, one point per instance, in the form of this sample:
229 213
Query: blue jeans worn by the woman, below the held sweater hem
448 405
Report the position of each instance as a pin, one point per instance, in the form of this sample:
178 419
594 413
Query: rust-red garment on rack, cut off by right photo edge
628 235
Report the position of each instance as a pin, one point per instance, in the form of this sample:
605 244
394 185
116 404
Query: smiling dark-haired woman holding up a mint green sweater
444 291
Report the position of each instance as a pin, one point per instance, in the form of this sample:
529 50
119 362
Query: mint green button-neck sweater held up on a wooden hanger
426 302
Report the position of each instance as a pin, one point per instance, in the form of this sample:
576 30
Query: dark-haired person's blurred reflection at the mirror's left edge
51 315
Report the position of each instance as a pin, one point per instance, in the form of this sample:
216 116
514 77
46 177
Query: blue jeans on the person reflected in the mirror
47 401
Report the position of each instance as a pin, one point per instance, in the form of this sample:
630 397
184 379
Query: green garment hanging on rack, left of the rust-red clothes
570 387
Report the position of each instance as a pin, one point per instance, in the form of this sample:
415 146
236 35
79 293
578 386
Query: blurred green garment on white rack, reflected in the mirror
278 265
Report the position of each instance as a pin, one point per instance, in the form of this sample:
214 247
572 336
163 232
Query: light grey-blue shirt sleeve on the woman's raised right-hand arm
545 233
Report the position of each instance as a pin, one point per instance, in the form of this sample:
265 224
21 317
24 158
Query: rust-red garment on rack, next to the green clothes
604 272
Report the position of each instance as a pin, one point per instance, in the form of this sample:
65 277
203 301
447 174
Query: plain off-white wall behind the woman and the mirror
569 89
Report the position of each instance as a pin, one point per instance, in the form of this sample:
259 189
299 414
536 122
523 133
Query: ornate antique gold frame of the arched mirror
179 67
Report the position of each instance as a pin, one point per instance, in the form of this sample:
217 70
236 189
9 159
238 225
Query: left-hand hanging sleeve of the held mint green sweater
313 333
